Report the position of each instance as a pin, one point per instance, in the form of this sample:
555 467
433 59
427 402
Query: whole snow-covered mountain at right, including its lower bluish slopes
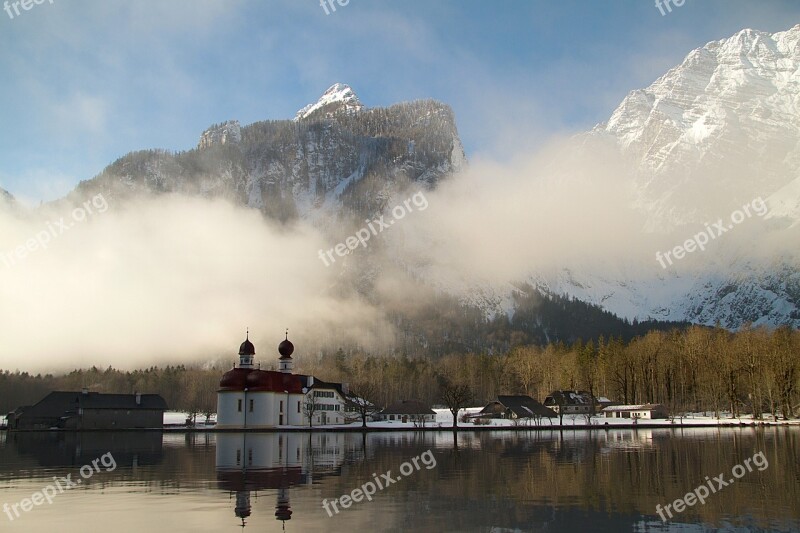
714 133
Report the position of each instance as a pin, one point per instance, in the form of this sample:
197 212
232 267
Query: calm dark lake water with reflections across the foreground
500 481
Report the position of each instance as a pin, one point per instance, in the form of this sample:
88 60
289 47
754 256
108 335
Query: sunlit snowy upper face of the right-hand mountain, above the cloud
725 121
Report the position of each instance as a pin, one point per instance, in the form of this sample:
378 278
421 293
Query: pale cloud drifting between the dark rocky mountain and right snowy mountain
500 222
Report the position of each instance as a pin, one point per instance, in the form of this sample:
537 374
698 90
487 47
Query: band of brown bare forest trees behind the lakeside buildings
692 369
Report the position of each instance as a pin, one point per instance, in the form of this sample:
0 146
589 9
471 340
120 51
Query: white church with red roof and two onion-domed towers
251 398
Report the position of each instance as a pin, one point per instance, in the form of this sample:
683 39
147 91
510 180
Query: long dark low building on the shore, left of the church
89 411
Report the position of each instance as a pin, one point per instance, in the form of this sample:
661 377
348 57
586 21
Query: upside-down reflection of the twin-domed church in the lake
251 462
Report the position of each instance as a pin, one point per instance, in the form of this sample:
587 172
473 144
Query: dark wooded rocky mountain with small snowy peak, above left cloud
337 158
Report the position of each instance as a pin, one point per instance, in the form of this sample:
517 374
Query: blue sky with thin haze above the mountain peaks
84 82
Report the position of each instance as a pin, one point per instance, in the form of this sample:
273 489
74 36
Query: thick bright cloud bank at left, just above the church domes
170 279
